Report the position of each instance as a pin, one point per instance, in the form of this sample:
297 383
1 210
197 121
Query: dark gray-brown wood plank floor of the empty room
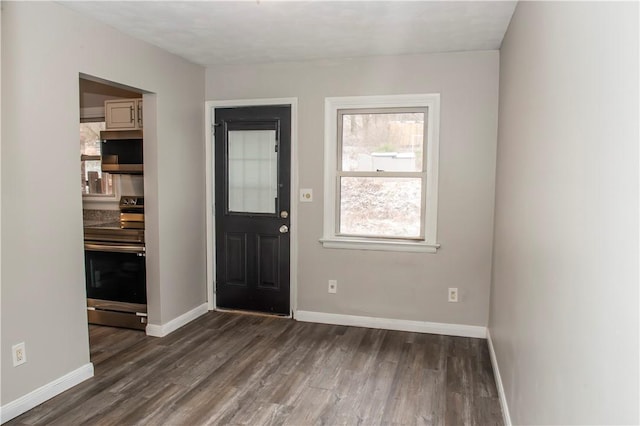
228 369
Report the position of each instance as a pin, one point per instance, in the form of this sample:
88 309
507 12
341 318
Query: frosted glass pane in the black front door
253 171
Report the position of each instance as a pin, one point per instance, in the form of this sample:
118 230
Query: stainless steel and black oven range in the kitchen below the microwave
115 269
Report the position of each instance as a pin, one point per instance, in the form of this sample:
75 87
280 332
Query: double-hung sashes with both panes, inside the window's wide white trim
381 174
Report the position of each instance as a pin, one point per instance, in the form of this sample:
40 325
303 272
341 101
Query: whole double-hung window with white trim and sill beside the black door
381 172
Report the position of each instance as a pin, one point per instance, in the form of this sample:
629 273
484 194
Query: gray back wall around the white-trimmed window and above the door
411 286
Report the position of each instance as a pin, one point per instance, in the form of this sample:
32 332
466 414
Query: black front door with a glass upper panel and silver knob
253 175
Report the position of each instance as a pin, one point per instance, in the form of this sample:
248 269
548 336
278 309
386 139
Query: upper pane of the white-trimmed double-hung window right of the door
382 141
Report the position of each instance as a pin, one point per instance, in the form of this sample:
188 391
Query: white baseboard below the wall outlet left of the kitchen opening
43 393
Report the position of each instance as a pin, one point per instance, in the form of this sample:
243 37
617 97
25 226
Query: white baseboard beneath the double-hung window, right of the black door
393 324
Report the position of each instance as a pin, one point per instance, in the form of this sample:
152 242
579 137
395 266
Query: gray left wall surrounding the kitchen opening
44 48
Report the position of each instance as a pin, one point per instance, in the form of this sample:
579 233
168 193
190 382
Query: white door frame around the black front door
209 110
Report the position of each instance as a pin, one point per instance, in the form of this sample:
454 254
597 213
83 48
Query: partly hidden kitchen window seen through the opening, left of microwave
93 181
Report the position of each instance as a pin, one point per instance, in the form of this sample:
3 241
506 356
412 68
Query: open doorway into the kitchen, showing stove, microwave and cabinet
112 188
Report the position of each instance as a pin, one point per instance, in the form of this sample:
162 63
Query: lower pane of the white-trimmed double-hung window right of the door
376 206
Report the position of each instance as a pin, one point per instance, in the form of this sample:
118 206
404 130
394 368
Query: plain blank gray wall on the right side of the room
564 299
